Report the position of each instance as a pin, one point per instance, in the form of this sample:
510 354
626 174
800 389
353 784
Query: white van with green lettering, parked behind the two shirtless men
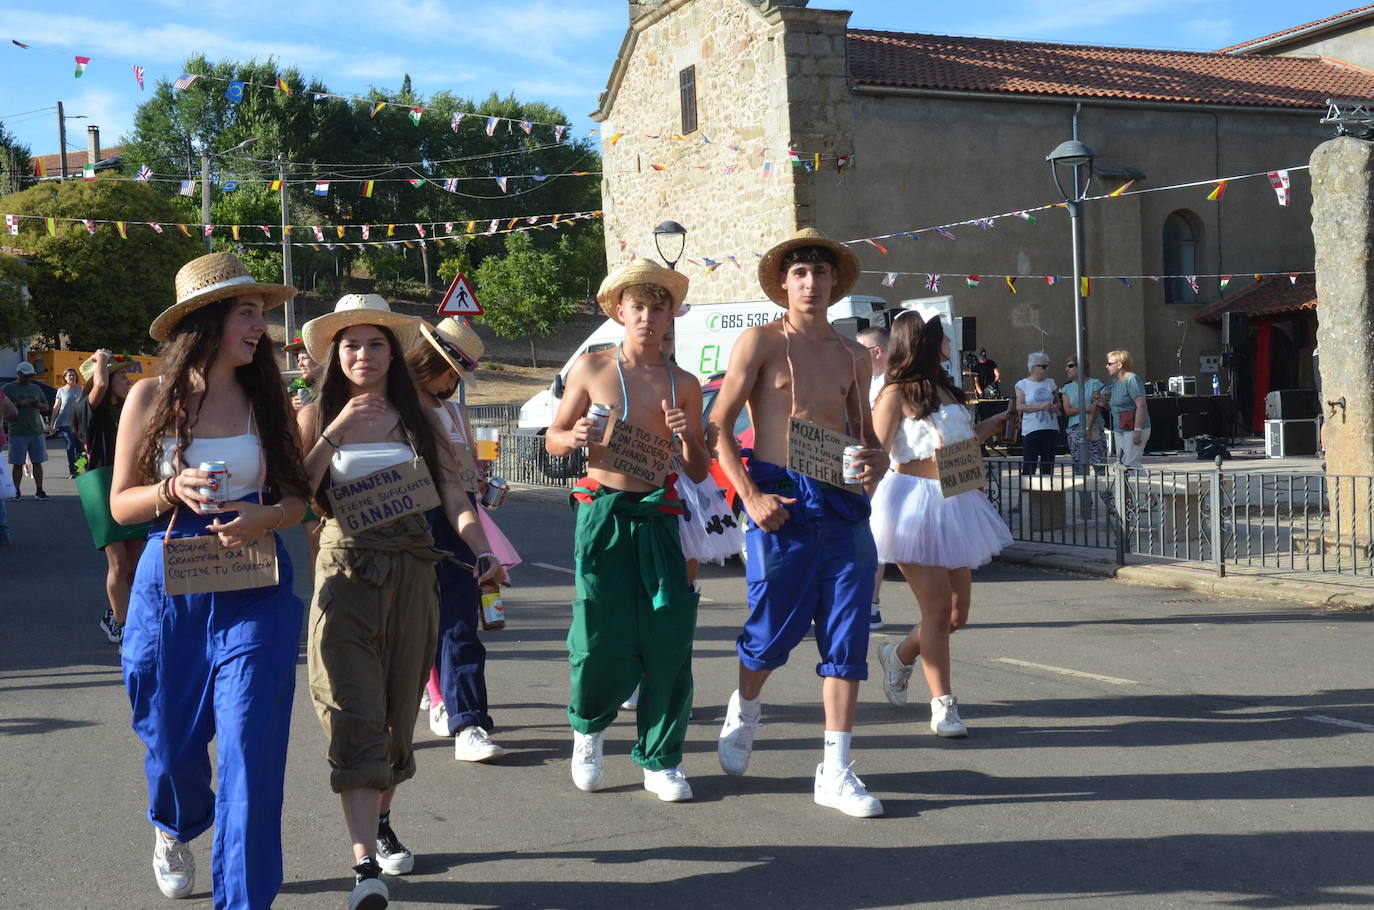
707 335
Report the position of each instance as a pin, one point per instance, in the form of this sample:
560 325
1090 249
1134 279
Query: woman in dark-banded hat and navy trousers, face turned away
440 361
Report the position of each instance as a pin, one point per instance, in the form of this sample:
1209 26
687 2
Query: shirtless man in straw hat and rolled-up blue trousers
811 557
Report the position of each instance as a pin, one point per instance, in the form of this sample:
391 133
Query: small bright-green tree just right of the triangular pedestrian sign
526 293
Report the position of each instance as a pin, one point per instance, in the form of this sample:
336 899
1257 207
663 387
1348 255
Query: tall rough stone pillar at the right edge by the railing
1343 232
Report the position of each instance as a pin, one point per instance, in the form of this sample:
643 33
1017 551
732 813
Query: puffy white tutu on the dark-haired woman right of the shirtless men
914 523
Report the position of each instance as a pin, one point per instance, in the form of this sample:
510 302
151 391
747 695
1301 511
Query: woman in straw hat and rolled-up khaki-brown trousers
374 619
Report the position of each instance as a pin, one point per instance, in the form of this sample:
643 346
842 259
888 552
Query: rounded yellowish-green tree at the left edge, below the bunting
100 291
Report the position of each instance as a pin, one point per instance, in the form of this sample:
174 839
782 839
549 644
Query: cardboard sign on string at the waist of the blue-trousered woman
203 566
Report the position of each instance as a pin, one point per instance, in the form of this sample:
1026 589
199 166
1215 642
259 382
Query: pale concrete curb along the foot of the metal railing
1313 593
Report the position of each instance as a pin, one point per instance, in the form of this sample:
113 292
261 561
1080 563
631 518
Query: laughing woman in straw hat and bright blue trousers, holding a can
215 663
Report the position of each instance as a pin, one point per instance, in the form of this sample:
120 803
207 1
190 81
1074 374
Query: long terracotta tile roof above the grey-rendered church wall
1075 71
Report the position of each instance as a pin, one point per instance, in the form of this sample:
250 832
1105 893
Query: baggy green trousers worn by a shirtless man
634 621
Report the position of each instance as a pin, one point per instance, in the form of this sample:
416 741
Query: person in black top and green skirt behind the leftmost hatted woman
105 379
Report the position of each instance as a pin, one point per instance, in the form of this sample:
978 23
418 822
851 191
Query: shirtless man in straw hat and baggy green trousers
633 625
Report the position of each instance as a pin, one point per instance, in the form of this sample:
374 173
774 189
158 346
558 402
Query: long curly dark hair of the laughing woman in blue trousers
188 354
